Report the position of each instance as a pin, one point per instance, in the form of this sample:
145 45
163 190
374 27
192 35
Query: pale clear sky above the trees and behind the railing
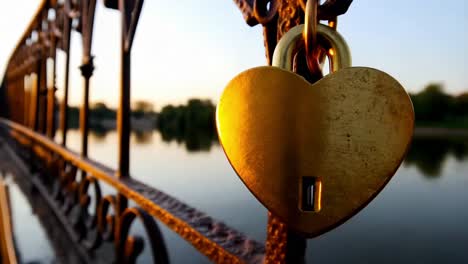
187 48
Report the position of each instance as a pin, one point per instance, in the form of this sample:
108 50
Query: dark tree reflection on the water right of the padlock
430 154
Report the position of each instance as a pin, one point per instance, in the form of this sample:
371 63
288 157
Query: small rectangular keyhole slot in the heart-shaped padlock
311 194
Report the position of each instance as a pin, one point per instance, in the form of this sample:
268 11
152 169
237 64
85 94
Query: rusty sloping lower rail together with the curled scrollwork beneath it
71 197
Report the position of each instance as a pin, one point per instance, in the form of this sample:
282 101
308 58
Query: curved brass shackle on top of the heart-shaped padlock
337 50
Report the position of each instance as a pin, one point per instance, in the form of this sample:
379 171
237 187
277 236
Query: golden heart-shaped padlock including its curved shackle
314 154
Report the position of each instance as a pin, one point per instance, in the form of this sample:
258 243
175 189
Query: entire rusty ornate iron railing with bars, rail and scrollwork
67 179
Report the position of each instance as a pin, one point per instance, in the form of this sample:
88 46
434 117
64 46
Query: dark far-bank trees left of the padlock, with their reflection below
191 123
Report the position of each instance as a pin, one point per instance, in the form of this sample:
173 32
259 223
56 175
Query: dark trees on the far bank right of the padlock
433 106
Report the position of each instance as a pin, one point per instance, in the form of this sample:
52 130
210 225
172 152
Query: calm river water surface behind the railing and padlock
420 217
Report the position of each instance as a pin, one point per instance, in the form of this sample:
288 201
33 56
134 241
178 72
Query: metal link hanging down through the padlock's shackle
310 36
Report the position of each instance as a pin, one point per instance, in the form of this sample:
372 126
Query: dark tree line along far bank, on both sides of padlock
432 106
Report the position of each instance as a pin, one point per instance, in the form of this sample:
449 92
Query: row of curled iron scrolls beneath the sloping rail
102 224
